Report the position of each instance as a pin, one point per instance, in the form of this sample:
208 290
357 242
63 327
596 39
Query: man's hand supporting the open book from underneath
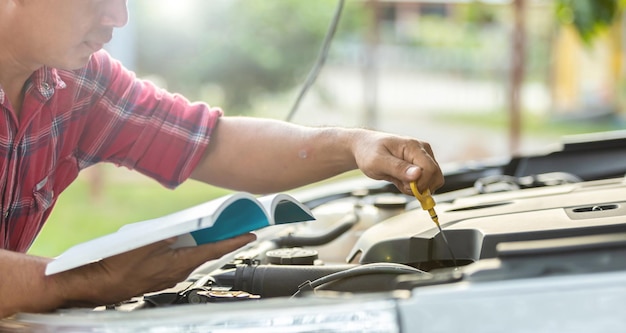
150 268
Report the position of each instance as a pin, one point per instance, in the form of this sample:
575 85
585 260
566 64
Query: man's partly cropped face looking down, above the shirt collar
64 33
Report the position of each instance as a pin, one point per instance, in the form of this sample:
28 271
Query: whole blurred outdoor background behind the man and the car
453 73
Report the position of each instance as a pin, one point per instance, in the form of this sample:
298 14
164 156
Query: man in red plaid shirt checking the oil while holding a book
66 105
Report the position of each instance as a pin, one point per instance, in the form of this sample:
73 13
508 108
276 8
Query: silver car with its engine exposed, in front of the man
538 244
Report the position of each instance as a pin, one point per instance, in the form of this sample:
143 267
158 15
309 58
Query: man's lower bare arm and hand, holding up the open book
25 288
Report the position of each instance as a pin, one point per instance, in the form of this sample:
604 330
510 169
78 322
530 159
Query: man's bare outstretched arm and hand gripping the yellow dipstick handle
263 156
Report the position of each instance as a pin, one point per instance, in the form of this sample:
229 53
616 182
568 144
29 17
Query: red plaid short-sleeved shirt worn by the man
71 120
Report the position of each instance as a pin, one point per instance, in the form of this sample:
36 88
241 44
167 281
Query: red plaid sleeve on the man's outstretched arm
135 124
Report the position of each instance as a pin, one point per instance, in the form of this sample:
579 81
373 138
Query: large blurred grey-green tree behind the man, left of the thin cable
246 48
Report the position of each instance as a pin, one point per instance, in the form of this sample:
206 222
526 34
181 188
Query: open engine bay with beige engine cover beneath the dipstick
375 239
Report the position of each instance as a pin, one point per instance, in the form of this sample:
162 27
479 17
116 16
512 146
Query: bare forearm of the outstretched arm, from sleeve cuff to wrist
260 155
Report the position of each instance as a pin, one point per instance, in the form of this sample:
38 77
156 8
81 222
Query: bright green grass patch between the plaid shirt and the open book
124 197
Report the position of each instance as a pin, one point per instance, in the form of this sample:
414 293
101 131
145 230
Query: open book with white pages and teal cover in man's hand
212 221
